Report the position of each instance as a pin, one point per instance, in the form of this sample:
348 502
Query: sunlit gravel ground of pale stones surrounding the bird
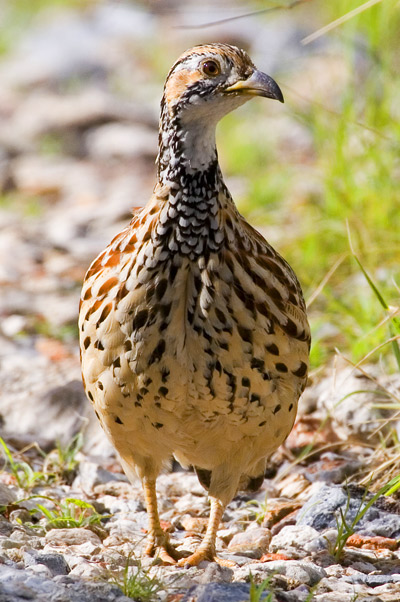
78 139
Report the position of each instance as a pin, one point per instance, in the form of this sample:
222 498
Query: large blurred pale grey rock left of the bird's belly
33 387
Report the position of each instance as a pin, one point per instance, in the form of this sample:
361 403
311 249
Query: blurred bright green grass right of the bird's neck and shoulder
354 160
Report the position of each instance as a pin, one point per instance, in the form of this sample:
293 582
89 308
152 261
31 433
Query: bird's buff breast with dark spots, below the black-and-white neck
189 337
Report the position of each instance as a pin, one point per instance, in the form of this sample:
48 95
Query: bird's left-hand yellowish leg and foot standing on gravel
158 541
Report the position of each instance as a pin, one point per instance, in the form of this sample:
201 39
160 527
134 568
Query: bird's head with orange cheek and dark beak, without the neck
209 81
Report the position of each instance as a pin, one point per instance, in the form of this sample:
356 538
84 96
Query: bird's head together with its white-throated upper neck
203 85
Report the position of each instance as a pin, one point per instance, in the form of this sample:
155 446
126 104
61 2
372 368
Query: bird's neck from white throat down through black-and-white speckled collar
190 223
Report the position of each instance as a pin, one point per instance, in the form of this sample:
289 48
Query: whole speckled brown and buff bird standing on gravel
194 336
